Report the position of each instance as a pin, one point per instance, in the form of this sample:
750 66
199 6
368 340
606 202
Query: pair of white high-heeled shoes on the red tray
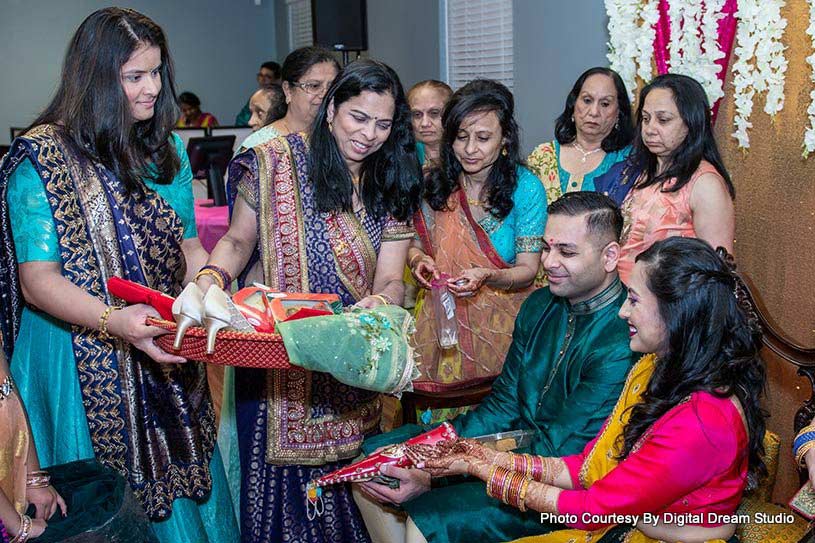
213 310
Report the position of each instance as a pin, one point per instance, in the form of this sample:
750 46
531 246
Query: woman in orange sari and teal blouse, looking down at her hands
481 224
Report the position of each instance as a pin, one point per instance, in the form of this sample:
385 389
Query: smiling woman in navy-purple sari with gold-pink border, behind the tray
325 213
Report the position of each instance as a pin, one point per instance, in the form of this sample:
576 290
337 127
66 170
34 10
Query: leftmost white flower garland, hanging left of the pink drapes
631 39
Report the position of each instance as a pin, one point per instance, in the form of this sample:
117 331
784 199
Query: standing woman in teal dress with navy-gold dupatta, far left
99 187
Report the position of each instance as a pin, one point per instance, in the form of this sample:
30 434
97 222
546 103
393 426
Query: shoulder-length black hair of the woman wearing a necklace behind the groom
623 131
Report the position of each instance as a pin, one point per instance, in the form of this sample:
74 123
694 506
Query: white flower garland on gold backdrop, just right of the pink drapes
759 33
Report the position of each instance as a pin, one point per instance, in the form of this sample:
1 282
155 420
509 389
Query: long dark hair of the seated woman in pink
713 339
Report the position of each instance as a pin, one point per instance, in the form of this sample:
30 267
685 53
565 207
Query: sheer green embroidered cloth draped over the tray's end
363 348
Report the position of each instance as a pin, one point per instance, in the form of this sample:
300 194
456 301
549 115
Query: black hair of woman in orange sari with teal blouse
479 95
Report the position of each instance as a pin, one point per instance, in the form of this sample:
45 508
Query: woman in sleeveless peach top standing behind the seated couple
684 188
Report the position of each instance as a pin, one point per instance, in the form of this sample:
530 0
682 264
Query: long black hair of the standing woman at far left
91 109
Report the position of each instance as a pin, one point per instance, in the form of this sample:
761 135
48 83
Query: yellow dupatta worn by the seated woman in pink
603 458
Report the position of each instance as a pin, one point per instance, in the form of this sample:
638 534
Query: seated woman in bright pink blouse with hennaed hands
685 438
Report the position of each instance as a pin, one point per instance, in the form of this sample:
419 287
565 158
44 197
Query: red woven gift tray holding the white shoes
246 350
